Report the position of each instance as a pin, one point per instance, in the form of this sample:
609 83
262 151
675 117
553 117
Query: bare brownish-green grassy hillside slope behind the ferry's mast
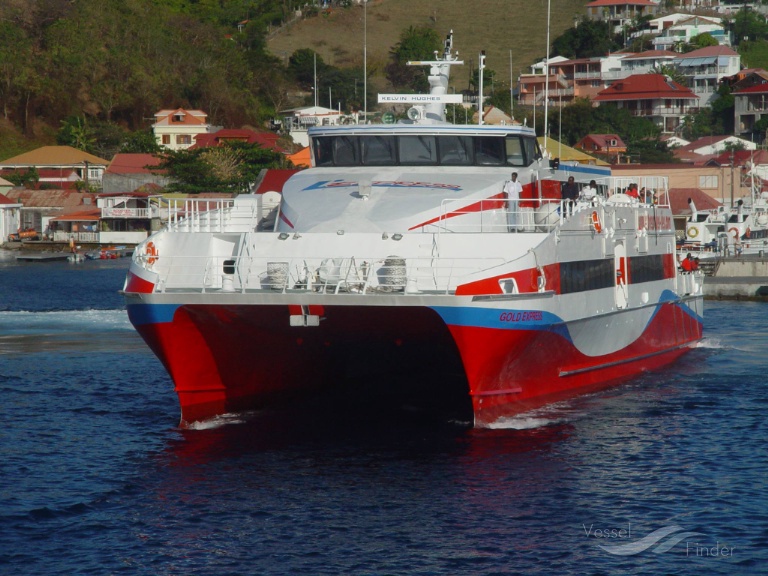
496 26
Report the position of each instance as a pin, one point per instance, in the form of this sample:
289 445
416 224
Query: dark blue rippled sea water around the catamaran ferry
663 475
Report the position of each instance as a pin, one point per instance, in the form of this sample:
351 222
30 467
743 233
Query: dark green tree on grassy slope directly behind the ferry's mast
419 43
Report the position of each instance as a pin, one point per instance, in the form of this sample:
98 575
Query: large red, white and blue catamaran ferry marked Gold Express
405 261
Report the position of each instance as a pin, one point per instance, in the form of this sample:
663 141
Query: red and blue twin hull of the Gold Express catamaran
232 357
